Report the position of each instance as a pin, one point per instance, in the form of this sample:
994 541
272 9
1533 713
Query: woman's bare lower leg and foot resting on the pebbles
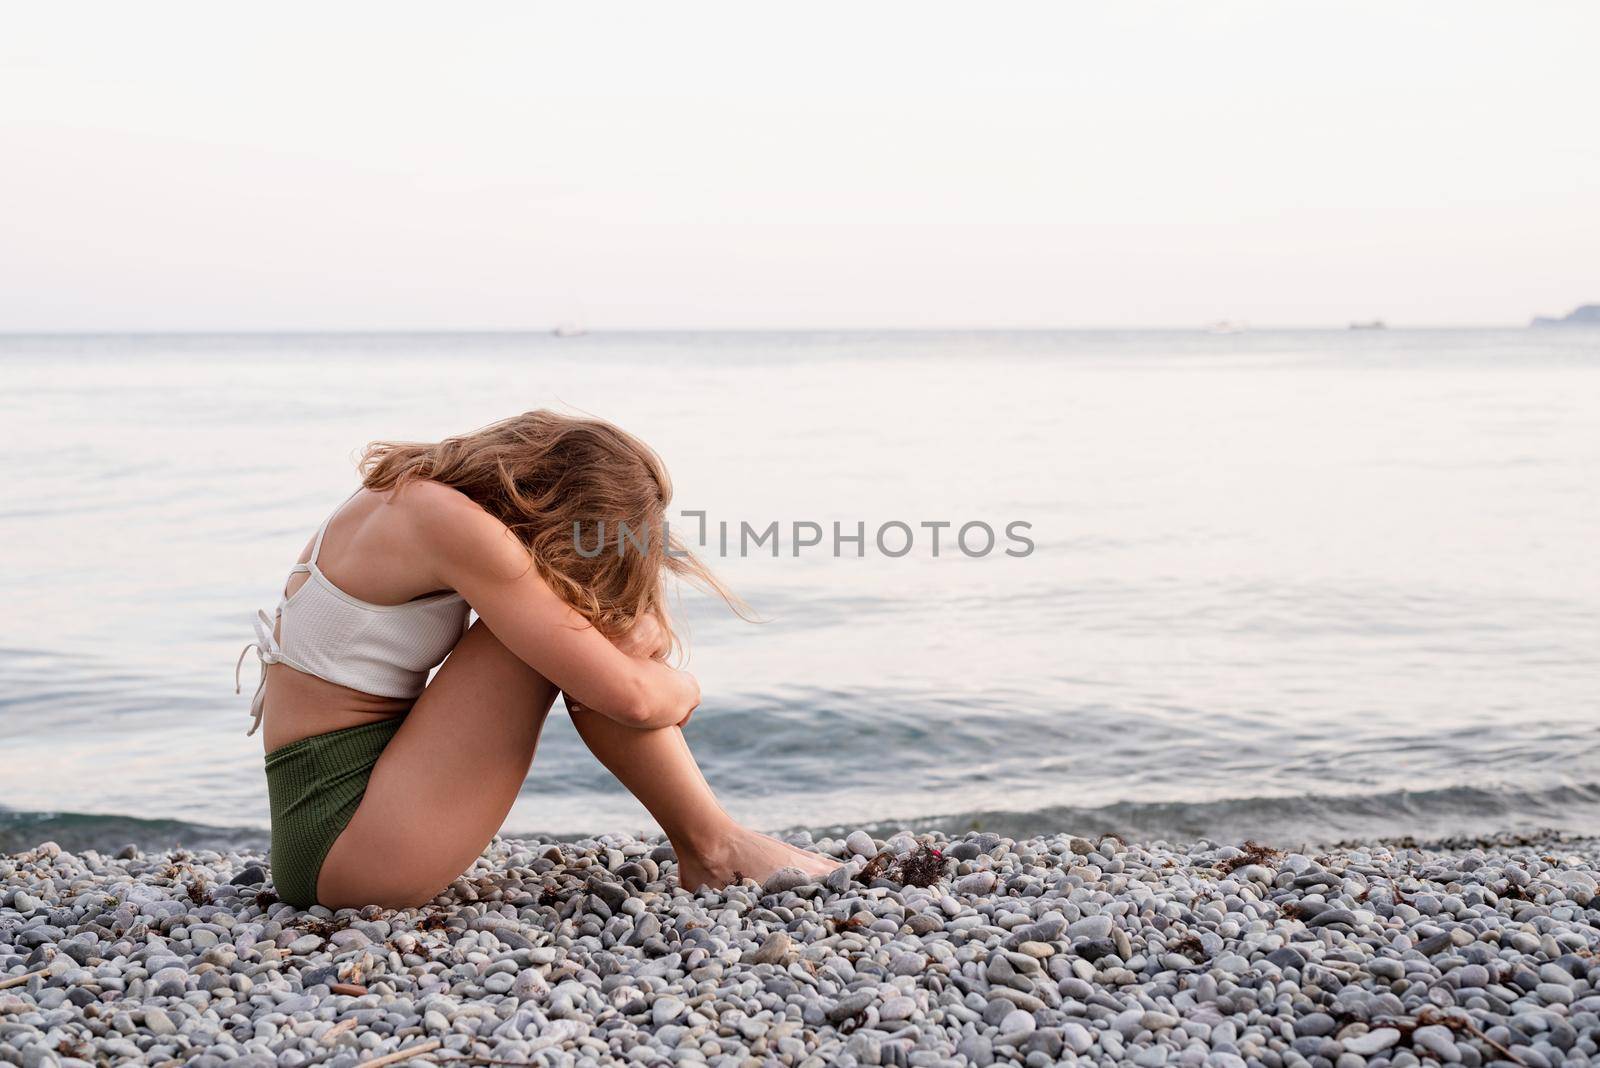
658 768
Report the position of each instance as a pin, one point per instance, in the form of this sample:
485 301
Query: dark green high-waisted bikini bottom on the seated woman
314 787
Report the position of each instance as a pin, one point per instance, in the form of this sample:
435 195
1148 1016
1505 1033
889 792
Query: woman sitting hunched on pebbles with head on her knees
386 786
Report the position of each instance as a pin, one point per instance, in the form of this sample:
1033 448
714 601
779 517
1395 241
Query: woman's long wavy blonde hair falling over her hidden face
561 482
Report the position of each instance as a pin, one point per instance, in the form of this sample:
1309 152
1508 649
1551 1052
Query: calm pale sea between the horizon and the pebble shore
1298 586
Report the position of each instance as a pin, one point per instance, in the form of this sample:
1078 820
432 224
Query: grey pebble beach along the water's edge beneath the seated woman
919 950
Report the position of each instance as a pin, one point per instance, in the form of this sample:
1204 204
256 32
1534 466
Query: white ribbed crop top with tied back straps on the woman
383 650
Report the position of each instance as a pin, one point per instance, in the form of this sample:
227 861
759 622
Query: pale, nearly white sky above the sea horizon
812 165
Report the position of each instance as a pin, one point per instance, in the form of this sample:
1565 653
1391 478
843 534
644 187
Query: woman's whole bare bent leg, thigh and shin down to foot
450 775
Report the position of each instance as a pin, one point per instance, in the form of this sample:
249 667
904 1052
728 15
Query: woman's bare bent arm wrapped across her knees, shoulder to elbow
478 557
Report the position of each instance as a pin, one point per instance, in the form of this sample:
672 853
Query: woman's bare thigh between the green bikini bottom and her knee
446 783
